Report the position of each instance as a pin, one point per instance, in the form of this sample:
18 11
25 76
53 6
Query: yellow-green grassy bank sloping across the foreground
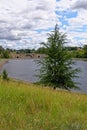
29 107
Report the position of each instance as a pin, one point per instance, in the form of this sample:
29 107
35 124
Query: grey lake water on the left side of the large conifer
22 69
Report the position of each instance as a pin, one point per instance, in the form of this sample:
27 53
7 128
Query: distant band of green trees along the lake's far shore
76 52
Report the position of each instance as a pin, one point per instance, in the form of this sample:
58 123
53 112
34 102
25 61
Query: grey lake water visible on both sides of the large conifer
25 69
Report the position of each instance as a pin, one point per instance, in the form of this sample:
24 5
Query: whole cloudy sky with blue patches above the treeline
25 23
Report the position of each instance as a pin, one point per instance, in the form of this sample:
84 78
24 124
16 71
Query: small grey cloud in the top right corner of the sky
81 4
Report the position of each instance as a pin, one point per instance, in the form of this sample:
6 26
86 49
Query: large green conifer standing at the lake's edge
57 68
